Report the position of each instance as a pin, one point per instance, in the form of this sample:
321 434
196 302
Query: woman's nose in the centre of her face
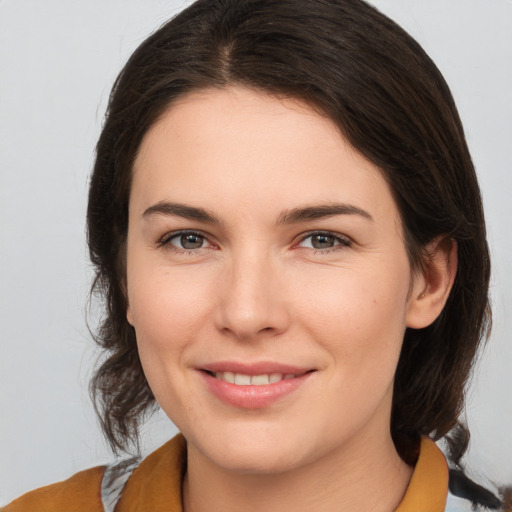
252 298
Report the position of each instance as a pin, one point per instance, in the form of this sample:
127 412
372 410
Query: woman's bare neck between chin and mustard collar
366 476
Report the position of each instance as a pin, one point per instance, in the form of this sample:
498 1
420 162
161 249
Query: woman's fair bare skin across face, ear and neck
257 290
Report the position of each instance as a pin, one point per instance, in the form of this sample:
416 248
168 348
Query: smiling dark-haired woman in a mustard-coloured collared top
289 236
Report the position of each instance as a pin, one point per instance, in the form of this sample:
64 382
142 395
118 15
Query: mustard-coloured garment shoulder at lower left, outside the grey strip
78 493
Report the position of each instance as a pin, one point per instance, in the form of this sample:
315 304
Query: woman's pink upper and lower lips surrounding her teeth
250 396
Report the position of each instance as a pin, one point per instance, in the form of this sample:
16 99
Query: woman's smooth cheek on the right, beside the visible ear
359 315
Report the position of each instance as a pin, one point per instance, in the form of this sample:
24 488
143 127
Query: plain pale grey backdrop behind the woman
58 59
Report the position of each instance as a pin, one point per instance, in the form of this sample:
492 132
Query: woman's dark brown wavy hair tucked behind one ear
389 100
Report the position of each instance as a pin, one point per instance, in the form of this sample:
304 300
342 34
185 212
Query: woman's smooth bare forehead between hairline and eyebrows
253 151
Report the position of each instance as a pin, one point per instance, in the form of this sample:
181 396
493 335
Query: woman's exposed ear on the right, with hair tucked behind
432 284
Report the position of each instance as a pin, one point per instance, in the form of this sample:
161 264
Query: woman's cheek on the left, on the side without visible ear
169 313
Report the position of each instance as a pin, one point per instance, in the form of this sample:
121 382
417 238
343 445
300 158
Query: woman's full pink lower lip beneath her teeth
252 397
